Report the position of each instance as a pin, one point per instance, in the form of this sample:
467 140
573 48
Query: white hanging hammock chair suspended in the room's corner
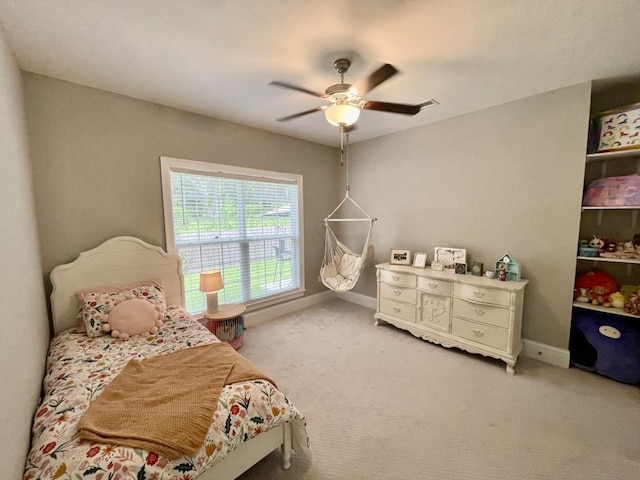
341 266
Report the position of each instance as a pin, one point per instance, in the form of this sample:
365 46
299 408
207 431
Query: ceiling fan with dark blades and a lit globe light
345 101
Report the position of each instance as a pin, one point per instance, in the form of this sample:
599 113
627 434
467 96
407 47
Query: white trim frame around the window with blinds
196 167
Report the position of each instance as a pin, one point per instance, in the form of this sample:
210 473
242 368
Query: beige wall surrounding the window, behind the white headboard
96 162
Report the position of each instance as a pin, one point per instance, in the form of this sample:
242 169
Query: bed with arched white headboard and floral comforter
252 418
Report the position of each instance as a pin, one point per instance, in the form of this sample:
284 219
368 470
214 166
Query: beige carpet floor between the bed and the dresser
382 404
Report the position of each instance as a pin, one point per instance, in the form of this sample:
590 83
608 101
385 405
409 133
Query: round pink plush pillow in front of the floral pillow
132 318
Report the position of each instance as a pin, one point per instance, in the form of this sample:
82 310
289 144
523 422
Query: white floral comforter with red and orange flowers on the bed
78 368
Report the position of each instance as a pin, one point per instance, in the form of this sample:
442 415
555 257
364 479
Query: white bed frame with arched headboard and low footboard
125 260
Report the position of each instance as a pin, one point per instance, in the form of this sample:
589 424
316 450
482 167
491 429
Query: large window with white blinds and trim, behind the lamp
244 222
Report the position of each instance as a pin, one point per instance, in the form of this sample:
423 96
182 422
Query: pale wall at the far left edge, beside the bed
25 335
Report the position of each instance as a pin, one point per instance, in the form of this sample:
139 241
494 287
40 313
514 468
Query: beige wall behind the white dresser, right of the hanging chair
504 179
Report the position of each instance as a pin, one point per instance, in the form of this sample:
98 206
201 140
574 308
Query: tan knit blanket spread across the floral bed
165 404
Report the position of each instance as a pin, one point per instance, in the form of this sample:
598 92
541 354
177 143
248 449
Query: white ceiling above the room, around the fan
216 57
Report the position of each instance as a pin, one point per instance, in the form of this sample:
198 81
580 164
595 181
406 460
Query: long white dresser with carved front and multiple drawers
477 314
